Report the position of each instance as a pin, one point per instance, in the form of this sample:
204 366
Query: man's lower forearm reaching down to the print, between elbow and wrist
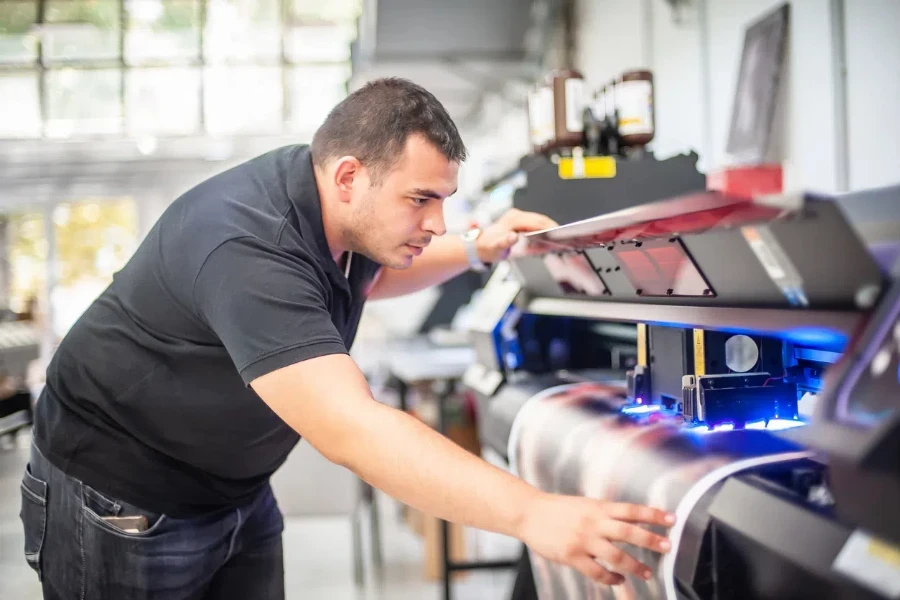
405 458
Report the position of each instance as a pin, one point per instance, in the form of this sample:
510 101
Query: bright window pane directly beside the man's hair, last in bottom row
314 92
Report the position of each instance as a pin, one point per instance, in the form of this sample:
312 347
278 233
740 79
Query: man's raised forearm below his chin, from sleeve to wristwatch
443 259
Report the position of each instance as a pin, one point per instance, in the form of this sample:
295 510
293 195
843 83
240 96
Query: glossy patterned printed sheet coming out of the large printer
577 439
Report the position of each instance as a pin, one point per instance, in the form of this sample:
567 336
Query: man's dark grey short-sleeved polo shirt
147 397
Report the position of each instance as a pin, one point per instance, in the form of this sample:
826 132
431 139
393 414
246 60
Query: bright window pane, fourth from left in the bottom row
243 99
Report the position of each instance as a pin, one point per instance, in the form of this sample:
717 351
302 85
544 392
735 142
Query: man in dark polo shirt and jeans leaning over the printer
224 340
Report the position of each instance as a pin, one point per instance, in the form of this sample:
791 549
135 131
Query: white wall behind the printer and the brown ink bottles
695 70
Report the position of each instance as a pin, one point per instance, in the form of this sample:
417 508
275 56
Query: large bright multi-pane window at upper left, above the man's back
110 68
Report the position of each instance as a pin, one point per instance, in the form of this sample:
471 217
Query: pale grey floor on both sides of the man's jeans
322 572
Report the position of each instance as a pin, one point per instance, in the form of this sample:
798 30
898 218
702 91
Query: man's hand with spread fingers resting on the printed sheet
579 532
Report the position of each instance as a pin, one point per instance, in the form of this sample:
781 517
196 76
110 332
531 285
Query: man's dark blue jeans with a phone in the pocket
234 553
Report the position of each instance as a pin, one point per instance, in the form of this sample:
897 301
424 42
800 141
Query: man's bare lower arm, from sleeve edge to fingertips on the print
327 401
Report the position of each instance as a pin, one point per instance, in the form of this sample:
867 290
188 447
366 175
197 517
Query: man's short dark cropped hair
374 122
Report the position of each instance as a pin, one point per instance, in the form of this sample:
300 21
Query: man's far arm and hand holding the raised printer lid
445 257
